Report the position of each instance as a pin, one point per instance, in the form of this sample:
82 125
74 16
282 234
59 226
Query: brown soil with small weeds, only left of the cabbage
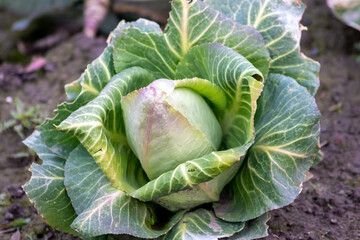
45 88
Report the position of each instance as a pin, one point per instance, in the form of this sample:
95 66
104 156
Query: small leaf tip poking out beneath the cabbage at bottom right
253 229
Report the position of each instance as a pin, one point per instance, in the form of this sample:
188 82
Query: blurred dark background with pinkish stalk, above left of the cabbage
33 26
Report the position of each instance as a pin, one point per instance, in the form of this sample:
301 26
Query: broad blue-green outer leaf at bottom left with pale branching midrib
107 210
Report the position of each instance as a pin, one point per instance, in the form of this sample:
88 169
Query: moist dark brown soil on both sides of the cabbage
327 208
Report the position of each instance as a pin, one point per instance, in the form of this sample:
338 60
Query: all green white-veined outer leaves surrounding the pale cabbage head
91 183
